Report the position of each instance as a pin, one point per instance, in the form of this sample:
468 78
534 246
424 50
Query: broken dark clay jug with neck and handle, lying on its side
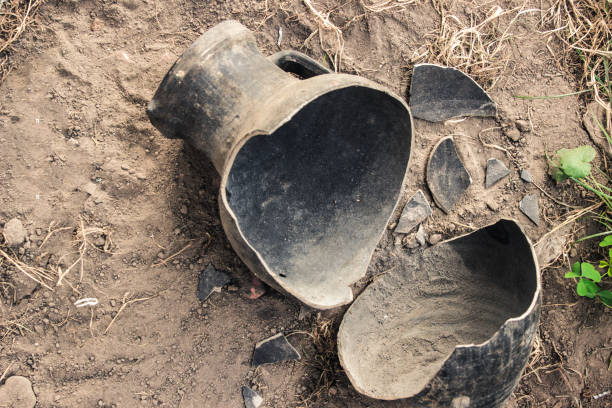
311 169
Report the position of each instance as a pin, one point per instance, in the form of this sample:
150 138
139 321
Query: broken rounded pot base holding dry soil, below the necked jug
451 326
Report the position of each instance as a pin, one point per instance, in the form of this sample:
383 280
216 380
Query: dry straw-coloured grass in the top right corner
585 27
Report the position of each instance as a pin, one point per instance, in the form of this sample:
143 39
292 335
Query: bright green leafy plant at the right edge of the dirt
575 164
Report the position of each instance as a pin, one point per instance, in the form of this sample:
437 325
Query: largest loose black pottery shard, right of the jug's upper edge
438 93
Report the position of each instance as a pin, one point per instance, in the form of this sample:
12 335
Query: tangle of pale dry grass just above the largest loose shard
478 47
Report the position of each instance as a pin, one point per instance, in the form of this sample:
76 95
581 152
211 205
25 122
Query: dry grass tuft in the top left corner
15 16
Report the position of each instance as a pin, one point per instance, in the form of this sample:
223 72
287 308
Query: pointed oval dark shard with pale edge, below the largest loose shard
447 178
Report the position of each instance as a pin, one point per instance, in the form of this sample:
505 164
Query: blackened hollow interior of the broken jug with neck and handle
313 197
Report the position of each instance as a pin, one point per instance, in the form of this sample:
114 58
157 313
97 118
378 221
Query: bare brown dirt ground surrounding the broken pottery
76 147
